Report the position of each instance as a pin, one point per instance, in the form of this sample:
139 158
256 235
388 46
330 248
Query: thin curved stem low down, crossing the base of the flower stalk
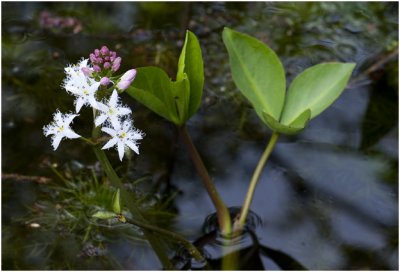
171 235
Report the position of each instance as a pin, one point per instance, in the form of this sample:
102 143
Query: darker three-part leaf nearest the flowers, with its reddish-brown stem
177 101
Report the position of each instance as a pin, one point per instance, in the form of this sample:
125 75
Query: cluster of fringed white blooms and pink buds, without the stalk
89 83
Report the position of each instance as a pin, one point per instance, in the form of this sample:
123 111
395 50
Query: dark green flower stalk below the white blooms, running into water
116 182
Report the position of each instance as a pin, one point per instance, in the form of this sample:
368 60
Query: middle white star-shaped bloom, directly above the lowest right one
112 111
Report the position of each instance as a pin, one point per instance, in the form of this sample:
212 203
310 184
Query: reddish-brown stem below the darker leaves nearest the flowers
224 219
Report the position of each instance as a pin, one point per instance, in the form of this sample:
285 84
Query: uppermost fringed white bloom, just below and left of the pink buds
83 87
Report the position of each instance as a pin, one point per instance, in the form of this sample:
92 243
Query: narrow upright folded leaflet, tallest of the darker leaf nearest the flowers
191 64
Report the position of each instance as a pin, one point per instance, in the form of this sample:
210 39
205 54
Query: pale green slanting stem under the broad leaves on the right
257 172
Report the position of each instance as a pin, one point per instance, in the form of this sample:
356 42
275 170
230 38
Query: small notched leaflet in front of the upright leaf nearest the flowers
180 91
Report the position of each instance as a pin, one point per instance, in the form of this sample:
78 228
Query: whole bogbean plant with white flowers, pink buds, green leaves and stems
258 74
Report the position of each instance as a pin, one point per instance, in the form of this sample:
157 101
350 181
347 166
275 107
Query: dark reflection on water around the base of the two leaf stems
244 247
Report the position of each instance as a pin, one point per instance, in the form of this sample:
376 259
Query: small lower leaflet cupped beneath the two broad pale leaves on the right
295 127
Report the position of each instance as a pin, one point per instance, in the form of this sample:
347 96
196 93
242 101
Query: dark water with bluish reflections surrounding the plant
327 199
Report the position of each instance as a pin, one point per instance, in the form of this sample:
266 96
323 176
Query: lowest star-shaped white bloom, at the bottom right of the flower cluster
123 135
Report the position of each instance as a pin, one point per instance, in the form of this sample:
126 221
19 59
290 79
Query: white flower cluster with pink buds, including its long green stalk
87 83
